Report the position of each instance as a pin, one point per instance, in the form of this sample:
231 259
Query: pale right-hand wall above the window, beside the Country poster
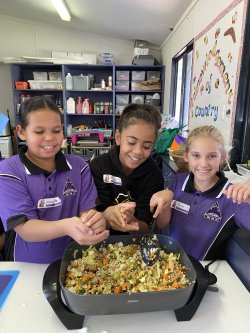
197 17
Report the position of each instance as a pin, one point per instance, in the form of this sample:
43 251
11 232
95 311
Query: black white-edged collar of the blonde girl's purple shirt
213 192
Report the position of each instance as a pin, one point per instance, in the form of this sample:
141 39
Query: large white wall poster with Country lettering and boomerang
216 67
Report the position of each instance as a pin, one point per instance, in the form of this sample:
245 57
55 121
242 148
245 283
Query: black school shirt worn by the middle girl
114 187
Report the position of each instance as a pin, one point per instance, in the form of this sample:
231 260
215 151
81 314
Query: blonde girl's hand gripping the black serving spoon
160 201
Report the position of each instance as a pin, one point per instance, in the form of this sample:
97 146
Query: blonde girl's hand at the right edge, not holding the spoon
238 192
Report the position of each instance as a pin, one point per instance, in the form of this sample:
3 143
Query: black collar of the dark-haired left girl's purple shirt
61 163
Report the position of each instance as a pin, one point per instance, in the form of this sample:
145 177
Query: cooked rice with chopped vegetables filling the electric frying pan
117 268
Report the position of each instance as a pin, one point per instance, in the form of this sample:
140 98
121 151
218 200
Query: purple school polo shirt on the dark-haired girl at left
28 192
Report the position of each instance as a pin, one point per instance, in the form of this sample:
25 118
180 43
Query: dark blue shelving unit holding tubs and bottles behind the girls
24 72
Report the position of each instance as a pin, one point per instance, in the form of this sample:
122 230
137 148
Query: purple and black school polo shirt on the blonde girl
202 221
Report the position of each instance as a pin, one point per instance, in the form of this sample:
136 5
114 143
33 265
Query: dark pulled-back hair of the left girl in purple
33 104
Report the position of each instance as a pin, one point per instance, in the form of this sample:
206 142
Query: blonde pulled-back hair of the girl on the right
206 131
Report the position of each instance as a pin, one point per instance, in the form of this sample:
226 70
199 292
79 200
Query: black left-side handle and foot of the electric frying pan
52 291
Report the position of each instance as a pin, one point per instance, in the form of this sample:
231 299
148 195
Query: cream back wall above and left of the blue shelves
25 38
